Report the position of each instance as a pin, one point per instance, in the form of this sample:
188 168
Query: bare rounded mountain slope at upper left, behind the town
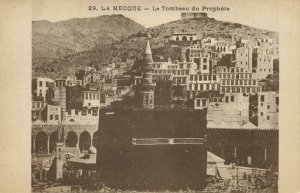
52 41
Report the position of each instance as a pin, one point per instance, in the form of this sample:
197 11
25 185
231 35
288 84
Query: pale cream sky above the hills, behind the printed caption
256 13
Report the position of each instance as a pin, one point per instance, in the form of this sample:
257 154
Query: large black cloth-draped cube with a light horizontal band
152 149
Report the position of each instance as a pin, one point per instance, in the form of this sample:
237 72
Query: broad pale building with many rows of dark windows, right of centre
237 80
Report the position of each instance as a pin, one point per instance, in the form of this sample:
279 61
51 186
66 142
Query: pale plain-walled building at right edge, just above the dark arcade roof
268 108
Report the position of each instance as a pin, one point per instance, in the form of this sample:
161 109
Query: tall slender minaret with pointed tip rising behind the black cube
147 91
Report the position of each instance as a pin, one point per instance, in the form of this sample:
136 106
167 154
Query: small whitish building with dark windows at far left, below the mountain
40 86
